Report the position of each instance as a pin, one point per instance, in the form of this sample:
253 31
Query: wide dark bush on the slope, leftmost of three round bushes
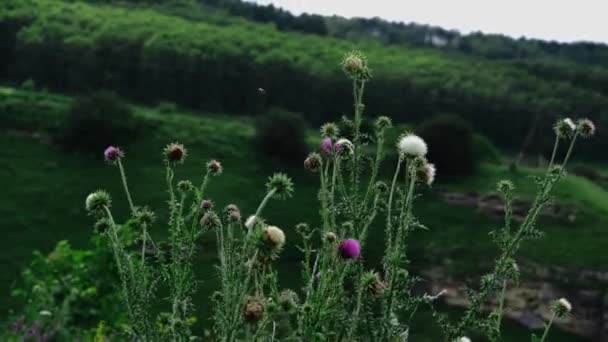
96 121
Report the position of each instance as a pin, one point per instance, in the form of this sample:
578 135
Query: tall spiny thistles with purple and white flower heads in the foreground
343 297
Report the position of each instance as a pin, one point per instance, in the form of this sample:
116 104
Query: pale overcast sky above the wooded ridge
562 20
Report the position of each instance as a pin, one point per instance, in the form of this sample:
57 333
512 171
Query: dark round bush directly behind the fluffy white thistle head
450 141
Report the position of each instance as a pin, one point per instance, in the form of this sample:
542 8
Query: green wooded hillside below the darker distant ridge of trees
151 57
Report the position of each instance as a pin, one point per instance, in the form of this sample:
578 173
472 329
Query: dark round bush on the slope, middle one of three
281 134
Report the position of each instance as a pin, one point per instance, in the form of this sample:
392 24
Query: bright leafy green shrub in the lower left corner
64 293
